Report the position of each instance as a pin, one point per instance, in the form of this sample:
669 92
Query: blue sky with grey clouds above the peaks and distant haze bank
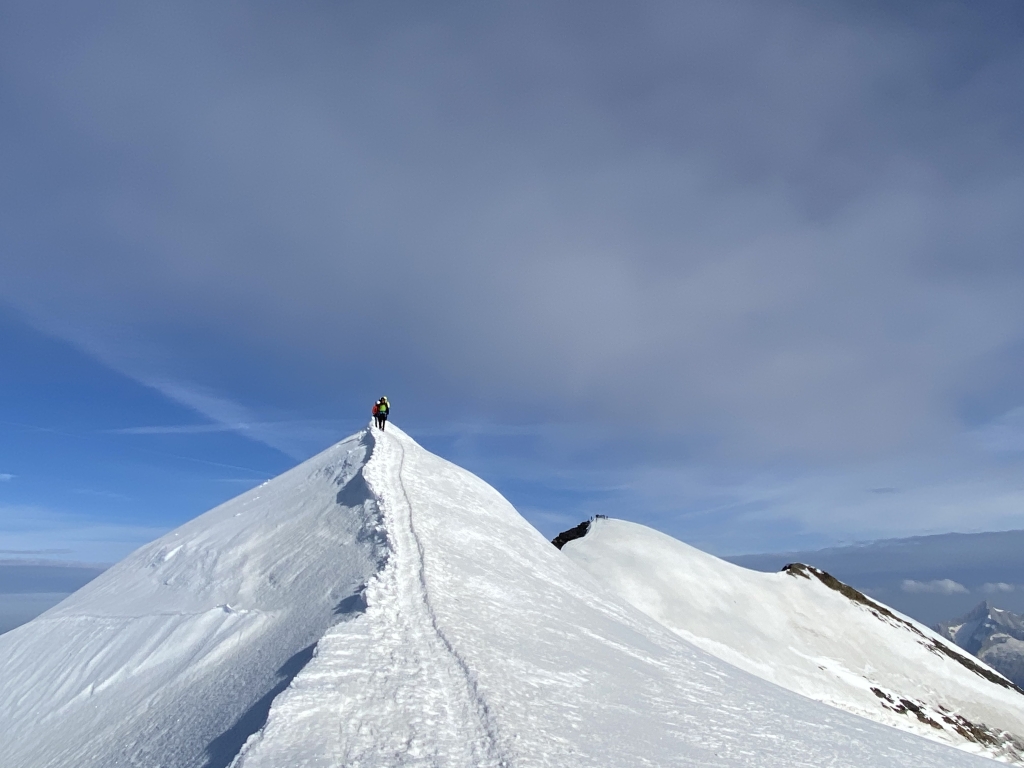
750 273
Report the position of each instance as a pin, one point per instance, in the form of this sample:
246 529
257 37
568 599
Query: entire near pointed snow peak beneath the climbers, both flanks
448 632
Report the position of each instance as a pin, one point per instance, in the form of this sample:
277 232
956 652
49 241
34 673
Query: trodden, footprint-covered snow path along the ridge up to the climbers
388 689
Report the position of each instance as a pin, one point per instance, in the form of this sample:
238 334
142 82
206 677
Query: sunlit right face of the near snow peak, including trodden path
483 646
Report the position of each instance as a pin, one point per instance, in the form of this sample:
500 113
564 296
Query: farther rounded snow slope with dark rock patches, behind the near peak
813 635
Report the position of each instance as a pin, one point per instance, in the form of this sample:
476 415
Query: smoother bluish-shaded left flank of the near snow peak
172 658
